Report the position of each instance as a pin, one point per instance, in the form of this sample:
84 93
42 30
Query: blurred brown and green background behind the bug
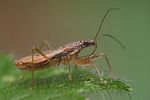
26 23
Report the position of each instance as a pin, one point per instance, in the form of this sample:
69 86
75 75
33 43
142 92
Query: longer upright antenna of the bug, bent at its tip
101 24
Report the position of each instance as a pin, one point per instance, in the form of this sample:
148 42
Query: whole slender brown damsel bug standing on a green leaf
65 55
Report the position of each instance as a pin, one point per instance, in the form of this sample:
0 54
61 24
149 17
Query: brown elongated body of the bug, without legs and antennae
62 55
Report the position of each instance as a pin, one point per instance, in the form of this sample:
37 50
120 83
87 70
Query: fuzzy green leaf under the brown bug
53 84
